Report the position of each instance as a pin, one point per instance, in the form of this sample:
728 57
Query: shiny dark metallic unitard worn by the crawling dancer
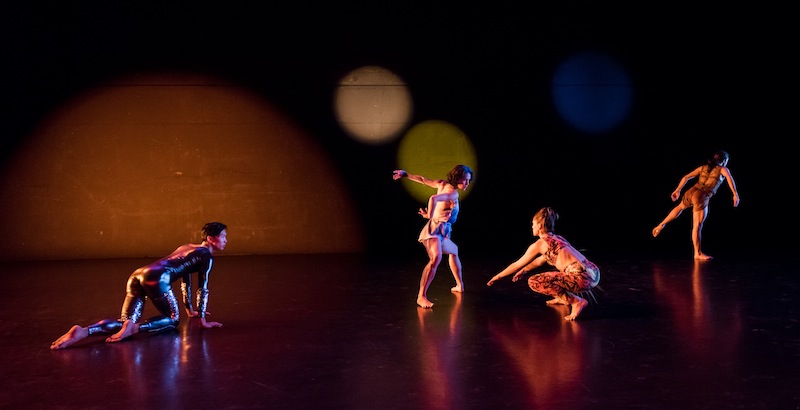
154 282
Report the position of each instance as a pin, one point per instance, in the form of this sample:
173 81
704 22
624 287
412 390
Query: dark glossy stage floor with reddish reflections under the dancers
343 332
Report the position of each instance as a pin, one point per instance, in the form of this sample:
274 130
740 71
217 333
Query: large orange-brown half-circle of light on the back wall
136 166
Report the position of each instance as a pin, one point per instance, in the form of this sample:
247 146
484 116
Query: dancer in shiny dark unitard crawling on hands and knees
154 282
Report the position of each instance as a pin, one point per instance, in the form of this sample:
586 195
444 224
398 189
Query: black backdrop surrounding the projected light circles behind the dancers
705 78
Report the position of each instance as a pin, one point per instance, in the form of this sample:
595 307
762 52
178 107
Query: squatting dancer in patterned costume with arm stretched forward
575 274
